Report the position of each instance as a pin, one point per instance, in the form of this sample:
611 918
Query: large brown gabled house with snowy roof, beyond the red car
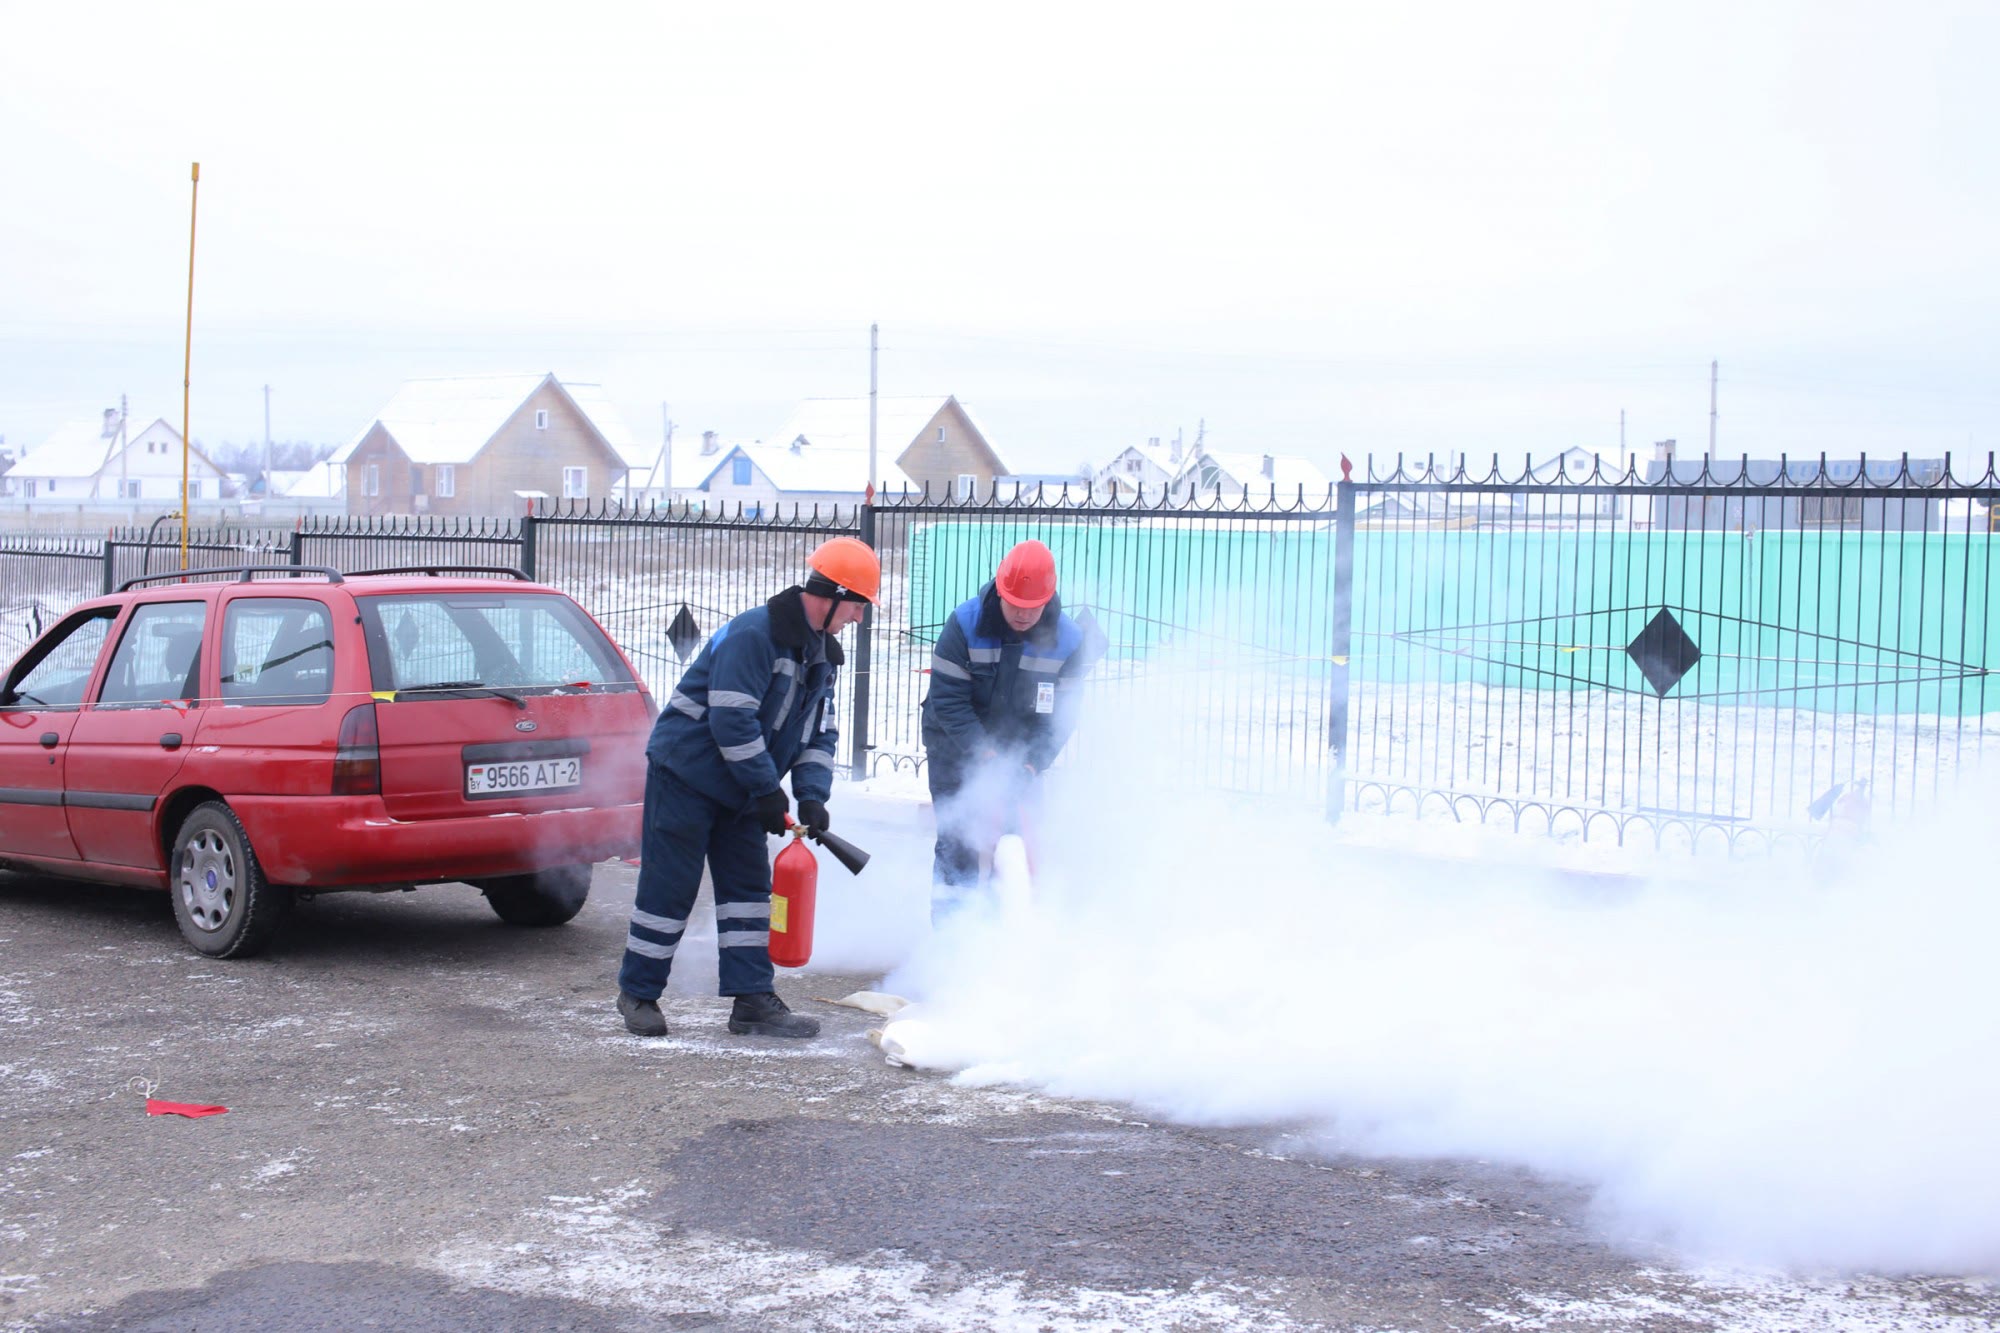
491 445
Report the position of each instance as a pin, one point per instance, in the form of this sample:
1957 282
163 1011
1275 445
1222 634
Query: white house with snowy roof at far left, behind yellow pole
93 461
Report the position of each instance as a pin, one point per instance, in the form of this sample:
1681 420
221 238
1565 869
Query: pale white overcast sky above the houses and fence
1389 227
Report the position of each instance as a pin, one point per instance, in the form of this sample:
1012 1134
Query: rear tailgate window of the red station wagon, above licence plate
503 639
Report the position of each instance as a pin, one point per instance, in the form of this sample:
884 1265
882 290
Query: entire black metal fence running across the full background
1687 653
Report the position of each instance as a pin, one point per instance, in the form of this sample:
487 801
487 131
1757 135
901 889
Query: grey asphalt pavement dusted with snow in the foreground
437 1122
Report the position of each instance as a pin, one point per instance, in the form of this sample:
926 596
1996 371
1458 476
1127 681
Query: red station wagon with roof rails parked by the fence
249 740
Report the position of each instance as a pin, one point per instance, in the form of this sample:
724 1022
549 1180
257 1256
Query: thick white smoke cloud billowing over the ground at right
1759 1066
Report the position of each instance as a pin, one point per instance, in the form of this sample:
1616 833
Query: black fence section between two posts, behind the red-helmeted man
1217 619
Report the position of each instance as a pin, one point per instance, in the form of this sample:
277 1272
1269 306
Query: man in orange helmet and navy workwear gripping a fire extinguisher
755 710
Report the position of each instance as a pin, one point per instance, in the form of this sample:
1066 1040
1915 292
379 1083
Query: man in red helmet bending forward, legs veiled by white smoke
1003 704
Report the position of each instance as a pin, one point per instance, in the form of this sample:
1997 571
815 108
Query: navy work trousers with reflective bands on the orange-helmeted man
683 830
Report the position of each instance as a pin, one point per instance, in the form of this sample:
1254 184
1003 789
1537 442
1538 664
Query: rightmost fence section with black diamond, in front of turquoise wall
1693 653
